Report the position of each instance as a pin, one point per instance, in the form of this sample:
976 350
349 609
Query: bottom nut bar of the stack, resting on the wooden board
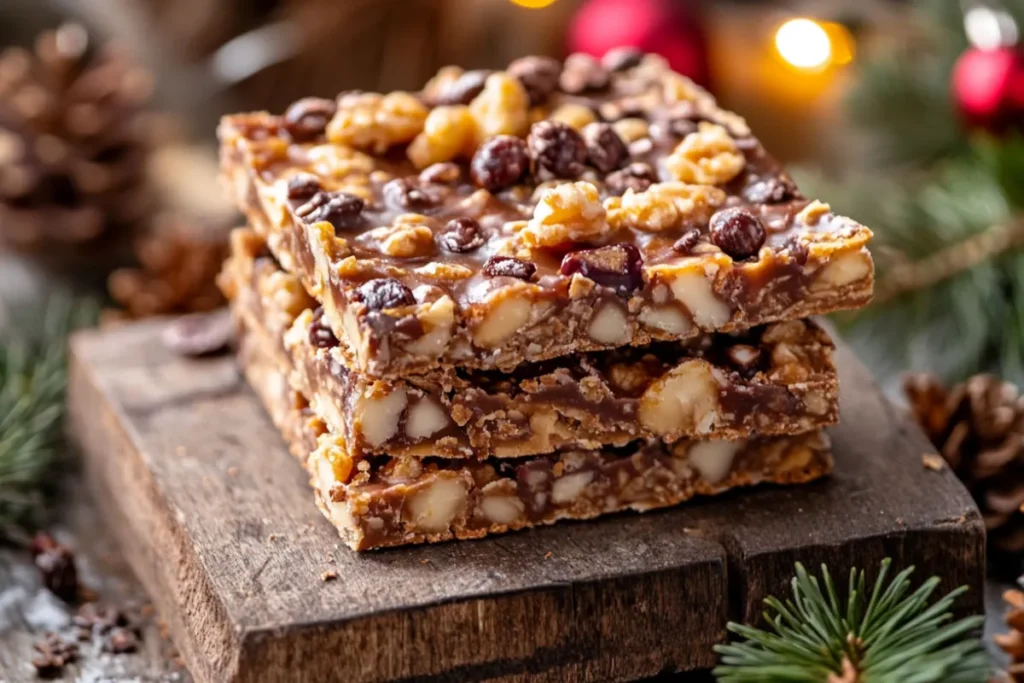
396 501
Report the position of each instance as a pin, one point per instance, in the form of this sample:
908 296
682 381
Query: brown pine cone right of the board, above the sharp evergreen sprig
979 430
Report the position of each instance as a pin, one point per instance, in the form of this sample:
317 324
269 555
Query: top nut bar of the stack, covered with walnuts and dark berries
520 216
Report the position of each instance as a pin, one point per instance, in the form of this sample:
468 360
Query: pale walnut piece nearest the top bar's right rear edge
708 157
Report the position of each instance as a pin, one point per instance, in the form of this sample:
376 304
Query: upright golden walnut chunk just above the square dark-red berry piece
570 212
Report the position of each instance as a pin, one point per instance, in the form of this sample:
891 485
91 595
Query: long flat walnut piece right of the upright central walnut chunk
664 206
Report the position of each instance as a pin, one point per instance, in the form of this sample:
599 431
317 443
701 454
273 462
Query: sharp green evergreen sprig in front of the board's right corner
886 634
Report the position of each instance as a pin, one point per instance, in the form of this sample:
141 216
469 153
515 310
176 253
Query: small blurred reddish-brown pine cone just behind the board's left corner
179 266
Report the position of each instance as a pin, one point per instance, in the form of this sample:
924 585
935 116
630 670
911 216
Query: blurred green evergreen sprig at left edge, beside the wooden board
33 379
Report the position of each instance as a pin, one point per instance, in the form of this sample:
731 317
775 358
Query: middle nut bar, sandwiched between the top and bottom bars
778 379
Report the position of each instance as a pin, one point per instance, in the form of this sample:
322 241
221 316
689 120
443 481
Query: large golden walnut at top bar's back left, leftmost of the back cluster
375 122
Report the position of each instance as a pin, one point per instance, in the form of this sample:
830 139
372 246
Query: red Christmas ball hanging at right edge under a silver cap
989 88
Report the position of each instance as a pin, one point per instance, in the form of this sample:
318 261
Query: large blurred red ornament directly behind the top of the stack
672 29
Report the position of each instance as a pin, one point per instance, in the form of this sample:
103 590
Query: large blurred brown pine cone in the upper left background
73 142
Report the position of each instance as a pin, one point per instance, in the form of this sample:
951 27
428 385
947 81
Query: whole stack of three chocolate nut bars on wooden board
516 297
